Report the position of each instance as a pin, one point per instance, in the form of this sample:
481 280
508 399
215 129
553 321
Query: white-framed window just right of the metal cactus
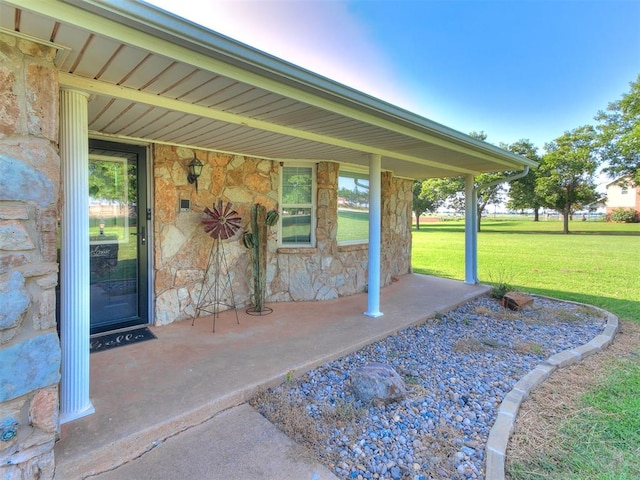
297 205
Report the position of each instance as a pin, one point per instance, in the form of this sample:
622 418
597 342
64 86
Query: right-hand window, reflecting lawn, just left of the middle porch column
353 207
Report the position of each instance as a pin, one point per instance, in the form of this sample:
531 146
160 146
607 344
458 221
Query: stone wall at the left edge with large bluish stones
29 196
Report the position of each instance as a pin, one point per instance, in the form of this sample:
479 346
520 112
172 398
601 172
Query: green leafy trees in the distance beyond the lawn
565 180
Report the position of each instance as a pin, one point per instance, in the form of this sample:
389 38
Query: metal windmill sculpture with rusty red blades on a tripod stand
221 223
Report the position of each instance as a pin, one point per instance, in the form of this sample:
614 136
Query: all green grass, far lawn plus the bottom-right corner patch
597 264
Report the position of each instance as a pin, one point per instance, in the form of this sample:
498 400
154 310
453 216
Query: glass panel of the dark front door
113 239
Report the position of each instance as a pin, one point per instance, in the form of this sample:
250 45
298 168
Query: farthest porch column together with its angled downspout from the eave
471 222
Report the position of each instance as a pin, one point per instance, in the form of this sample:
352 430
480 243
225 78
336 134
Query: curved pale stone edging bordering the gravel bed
496 449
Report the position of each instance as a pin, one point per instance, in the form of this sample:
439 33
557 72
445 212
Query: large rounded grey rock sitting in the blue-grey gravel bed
377 382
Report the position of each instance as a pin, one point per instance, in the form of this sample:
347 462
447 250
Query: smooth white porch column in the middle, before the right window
375 222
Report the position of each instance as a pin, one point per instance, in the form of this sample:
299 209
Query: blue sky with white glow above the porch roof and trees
514 69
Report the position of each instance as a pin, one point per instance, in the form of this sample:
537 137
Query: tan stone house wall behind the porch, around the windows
182 248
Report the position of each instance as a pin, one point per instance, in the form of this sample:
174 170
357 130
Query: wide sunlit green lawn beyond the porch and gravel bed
598 263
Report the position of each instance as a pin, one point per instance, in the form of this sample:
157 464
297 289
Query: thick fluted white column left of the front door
74 257
